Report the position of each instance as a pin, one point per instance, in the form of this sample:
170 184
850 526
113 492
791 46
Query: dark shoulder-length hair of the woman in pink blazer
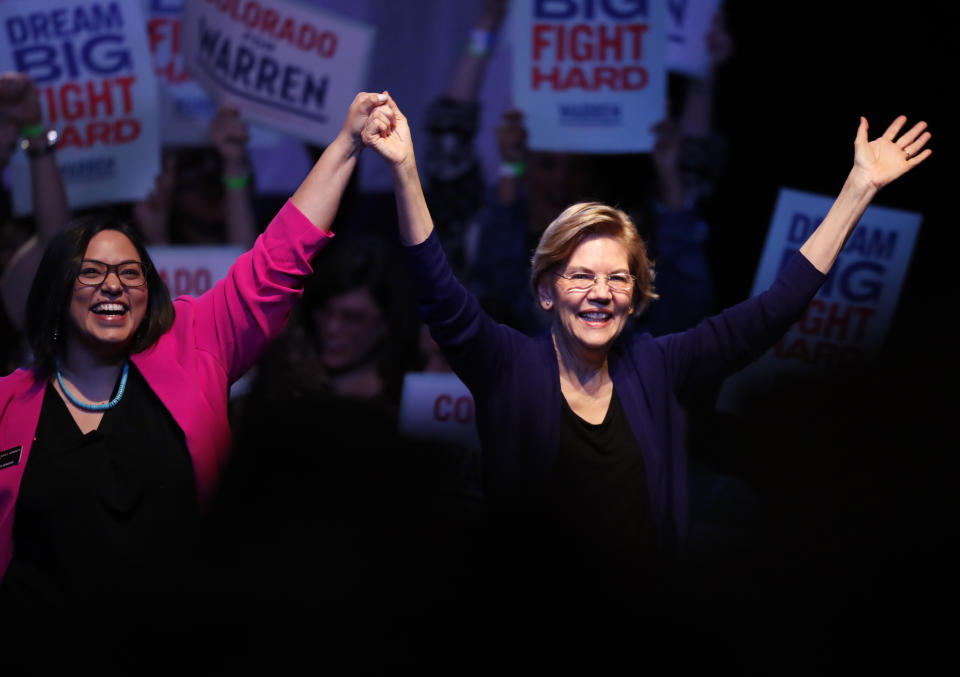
48 305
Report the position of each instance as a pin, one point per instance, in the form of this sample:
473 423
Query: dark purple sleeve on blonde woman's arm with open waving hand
726 342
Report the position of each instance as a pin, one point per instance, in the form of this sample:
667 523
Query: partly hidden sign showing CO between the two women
437 406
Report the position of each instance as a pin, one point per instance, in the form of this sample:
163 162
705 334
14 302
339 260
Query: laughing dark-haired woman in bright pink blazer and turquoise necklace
112 441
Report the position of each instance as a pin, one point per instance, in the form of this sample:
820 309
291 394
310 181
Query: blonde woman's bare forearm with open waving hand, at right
876 163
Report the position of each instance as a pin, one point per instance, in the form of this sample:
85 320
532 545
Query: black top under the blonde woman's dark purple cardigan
599 508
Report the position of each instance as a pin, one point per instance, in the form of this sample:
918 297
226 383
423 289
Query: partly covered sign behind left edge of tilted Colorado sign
186 108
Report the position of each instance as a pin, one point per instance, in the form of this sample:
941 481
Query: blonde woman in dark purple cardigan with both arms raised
582 447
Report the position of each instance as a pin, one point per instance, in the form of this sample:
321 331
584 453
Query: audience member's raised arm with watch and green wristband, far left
20 105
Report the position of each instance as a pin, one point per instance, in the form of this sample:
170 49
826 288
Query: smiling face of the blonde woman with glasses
587 322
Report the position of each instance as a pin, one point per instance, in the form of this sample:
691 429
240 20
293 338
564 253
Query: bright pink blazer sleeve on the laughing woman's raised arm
242 313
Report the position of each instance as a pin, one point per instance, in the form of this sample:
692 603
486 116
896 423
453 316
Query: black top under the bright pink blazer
103 520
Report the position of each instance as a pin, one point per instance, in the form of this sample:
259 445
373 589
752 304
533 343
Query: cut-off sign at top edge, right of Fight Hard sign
688 22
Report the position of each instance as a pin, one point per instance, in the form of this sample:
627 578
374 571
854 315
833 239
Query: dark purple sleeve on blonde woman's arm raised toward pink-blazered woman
476 346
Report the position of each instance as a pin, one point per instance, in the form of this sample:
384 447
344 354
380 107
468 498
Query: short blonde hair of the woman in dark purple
582 220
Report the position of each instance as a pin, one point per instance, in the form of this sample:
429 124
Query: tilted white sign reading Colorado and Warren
283 64
